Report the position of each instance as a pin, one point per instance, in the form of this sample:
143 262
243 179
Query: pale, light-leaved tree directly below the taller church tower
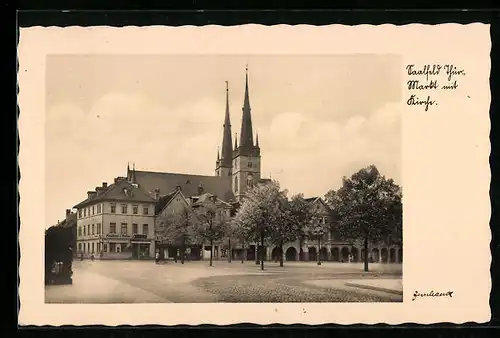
257 214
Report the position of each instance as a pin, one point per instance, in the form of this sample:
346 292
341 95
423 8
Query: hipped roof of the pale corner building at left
121 190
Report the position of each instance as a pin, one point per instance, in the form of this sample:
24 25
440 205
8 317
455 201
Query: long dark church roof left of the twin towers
189 184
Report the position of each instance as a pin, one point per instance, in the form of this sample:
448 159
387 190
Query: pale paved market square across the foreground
146 282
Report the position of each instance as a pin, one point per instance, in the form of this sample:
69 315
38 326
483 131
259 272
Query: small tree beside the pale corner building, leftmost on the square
177 229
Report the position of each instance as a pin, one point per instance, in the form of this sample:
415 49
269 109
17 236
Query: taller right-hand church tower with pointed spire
246 155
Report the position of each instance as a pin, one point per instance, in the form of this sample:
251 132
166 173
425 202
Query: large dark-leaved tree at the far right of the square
367 207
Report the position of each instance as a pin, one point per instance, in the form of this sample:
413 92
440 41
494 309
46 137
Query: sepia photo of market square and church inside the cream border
223 178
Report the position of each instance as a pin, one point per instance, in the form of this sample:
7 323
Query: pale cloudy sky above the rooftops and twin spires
319 118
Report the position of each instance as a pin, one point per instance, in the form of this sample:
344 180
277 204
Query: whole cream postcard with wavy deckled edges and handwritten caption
254 174
